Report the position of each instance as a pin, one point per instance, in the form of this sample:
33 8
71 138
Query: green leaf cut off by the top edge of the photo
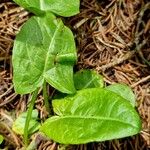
64 8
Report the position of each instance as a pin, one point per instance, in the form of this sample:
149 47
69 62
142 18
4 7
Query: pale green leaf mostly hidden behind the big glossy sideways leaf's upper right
124 91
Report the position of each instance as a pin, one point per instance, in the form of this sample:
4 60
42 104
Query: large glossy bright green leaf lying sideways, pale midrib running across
91 115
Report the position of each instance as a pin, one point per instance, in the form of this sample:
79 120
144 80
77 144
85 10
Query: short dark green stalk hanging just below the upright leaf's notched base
46 98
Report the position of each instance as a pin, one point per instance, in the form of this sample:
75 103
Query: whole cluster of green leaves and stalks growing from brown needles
44 52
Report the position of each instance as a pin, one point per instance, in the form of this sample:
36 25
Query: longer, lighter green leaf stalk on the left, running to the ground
29 115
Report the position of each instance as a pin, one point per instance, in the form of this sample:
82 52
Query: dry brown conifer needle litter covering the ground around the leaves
113 38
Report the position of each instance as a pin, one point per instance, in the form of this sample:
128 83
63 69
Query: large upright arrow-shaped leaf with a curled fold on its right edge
44 49
